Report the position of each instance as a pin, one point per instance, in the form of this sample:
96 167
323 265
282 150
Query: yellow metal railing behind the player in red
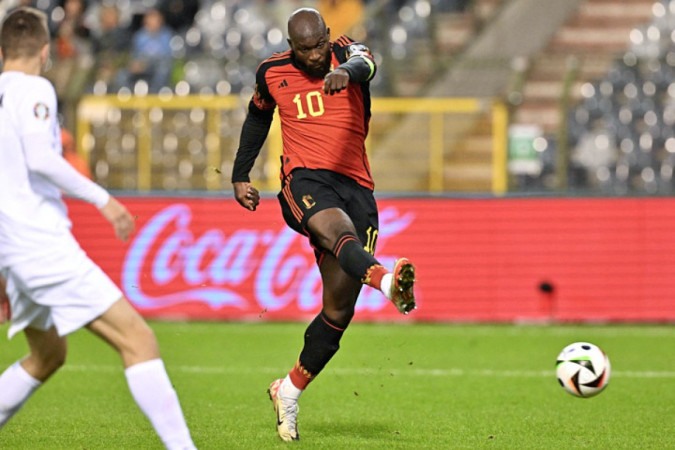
132 146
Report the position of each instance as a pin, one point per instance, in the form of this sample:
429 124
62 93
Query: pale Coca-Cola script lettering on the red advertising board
261 268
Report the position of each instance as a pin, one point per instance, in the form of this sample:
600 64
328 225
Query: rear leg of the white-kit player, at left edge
20 380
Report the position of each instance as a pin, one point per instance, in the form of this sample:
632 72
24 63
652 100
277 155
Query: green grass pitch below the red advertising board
390 387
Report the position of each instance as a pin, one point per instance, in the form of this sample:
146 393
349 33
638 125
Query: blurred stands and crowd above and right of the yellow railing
589 84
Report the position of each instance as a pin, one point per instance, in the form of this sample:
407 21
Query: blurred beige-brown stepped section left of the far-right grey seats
579 54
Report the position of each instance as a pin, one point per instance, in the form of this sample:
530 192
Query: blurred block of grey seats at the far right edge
628 114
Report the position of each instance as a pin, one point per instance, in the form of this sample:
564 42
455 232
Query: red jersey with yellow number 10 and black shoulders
319 131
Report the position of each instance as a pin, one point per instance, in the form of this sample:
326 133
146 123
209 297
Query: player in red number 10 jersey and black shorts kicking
321 88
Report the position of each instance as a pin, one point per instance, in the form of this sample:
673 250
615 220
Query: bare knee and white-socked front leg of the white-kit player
126 331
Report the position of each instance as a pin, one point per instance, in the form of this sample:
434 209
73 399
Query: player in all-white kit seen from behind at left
53 287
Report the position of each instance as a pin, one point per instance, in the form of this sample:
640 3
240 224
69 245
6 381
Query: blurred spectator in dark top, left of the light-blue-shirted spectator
110 44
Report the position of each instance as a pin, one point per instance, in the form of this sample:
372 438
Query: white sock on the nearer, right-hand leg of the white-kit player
151 388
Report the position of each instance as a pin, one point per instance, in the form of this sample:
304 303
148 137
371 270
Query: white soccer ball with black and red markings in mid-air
583 369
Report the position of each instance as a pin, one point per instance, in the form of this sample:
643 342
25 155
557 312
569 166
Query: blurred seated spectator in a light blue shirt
151 57
